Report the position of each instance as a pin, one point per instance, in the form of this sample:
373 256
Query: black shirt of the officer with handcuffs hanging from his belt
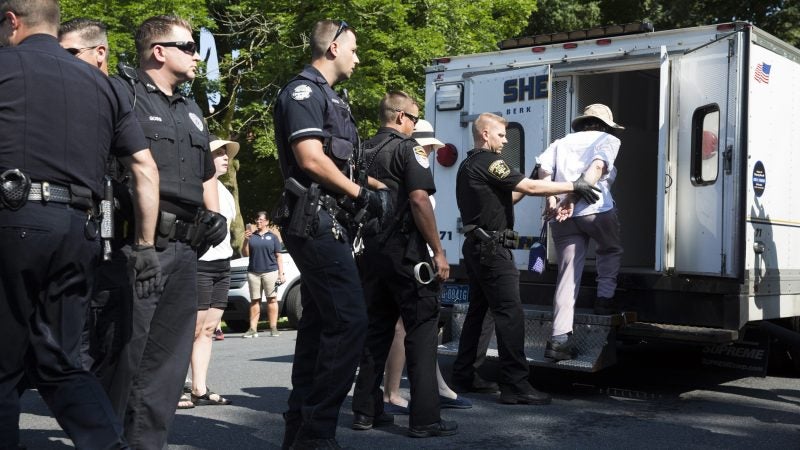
401 164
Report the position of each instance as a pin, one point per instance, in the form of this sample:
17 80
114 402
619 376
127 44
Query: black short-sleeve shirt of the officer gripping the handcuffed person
483 190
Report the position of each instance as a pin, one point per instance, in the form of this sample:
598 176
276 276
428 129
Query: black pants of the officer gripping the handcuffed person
493 285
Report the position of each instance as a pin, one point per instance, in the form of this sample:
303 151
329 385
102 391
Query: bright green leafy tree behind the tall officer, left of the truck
396 41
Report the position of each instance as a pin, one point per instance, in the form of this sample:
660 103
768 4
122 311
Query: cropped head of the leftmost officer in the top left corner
33 17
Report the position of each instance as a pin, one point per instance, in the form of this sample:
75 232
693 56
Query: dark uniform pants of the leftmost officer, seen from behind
46 268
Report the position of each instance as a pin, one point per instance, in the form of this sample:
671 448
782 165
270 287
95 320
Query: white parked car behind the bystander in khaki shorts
237 314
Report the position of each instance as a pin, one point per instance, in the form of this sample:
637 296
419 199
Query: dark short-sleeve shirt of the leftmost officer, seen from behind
60 117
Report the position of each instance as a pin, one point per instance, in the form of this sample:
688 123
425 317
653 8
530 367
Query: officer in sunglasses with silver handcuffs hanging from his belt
387 272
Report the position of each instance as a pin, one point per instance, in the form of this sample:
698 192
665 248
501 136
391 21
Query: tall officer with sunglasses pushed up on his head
316 136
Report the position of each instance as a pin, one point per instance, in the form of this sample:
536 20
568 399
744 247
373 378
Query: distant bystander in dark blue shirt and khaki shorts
264 273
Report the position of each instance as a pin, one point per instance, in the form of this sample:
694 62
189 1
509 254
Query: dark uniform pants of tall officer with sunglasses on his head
330 334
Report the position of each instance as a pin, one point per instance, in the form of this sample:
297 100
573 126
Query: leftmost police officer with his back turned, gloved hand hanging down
58 126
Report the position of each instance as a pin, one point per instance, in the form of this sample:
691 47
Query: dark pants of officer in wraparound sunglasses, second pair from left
154 360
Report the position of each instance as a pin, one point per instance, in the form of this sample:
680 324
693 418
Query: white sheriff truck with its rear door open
707 174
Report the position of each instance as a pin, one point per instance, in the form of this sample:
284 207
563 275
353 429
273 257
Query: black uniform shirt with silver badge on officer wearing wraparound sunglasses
178 138
